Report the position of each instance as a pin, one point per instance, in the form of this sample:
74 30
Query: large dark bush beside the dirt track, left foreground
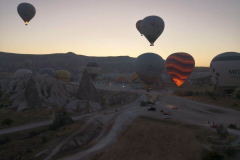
61 119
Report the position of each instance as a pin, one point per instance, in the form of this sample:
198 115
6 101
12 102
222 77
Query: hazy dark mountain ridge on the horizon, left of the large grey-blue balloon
10 62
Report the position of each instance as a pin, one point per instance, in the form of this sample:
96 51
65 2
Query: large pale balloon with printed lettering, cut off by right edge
225 70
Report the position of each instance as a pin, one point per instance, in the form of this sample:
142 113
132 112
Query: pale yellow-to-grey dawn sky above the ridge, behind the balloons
202 28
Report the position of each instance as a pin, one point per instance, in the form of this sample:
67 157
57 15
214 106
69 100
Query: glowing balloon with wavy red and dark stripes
179 66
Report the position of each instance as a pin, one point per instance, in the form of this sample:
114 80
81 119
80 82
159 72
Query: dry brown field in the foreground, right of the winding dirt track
148 138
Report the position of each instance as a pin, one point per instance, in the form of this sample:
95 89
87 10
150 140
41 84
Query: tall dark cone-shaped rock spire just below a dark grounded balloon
87 90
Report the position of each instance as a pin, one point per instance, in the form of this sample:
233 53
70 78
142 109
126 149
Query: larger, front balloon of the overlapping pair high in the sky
152 27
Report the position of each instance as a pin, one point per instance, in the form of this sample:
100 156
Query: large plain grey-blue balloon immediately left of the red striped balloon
149 67
